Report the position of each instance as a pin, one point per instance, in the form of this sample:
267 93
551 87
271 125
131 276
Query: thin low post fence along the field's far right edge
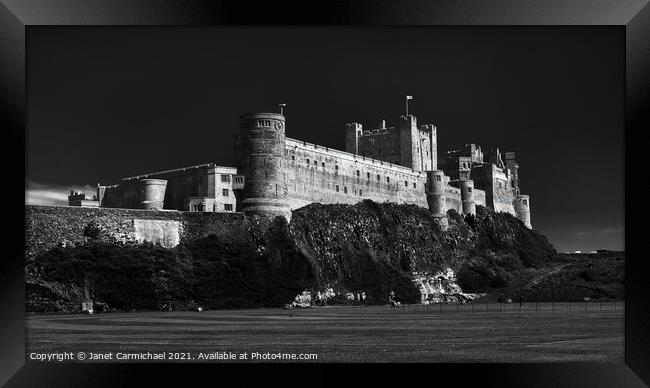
505 308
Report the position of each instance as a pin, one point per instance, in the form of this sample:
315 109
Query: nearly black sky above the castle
105 103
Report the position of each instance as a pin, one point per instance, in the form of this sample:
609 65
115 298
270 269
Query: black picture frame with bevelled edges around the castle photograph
18 15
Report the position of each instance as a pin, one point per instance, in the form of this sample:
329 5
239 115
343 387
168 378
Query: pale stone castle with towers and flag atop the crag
275 174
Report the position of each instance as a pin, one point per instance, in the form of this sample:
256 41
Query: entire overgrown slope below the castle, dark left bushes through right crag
341 254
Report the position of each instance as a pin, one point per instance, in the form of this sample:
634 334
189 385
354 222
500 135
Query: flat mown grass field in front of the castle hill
490 333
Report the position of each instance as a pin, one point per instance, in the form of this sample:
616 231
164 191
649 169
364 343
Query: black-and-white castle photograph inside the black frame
318 194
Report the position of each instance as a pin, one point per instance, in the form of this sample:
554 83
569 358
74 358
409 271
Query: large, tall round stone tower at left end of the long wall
262 161
